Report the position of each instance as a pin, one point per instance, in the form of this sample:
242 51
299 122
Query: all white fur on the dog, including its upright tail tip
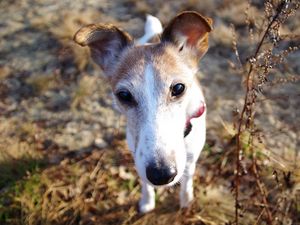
155 128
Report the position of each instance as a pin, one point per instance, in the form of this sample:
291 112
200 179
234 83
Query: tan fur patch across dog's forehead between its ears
165 59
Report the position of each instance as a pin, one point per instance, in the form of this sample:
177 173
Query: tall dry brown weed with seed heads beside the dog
268 56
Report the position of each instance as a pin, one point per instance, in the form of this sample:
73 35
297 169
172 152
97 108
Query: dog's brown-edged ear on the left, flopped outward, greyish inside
106 43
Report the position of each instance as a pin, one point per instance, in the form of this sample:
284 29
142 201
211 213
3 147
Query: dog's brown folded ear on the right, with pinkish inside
189 29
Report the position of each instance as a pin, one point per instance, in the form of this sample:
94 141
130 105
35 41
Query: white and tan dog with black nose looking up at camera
155 87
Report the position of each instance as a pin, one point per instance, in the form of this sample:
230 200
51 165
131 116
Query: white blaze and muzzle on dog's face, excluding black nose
159 136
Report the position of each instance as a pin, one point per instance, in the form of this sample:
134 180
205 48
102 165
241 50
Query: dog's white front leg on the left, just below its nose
147 202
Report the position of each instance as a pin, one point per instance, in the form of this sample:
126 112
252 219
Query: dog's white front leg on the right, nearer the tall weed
186 186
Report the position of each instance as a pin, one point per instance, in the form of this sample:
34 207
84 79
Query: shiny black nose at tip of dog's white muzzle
160 174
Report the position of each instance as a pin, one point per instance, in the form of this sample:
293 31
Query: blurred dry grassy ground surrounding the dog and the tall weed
63 157
